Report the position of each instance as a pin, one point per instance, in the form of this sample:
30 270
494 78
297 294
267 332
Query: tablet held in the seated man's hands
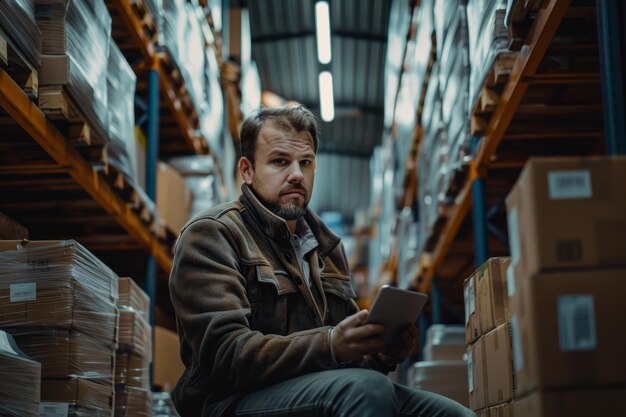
396 309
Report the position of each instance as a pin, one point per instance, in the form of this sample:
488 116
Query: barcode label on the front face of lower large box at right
577 323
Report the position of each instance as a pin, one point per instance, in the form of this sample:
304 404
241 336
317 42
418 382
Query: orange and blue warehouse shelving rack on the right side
545 108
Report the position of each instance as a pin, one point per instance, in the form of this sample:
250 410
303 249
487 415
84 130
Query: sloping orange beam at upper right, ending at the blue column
541 34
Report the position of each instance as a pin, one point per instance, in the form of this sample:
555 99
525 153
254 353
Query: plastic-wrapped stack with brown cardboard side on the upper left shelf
76 37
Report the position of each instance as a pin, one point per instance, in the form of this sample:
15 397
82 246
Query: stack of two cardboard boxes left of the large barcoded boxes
491 381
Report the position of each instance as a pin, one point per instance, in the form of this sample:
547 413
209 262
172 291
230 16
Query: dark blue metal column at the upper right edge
611 44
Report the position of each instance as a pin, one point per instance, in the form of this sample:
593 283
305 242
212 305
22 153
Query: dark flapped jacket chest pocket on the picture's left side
269 292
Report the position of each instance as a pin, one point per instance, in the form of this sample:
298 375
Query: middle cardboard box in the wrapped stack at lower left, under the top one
66 353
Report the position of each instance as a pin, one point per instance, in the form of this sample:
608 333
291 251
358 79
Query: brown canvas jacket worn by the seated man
246 317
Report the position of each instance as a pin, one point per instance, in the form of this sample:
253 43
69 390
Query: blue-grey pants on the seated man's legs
347 393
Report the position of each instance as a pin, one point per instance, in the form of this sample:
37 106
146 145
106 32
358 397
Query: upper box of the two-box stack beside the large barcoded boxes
486 299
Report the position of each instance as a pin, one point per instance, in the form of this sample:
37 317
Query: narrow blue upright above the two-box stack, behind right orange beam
479 214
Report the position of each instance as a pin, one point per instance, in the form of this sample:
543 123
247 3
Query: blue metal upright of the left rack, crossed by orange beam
152 152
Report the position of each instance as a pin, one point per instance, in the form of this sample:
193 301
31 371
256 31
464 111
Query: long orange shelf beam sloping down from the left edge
34 122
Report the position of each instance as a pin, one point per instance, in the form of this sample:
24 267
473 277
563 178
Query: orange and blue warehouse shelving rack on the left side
62 189
